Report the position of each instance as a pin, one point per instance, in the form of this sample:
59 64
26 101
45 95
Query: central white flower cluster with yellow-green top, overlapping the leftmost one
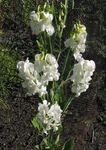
47 66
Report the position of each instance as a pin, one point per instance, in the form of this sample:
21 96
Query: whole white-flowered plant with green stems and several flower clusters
45 76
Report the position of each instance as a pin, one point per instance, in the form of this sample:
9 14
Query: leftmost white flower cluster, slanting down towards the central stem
32 79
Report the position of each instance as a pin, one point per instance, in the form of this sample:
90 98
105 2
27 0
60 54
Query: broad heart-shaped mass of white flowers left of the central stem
37 75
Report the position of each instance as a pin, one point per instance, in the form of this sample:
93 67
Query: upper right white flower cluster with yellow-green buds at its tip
77 41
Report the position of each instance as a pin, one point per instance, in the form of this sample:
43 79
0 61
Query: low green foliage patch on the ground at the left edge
8 73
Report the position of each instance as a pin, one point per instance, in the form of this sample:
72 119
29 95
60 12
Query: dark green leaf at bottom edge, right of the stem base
69 145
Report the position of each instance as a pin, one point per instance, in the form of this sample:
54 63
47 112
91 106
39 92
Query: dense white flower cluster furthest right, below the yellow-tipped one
82 73
